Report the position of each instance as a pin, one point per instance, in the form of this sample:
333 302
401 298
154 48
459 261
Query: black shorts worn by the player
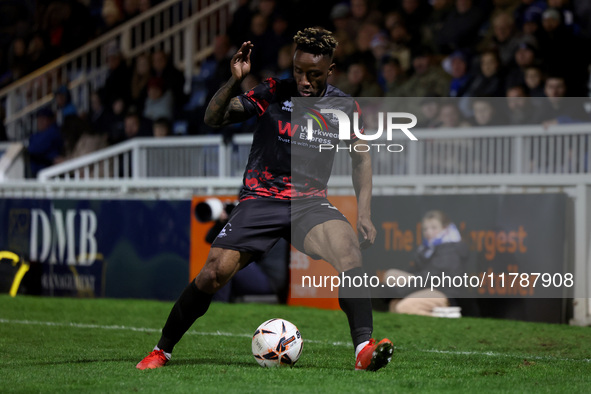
256 225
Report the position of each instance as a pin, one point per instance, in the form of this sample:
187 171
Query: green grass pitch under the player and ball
92 345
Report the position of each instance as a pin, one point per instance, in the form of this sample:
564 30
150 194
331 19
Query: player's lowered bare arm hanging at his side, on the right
362 183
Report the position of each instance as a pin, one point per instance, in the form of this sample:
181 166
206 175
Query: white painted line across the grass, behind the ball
229 334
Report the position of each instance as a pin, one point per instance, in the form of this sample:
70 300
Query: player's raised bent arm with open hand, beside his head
225 108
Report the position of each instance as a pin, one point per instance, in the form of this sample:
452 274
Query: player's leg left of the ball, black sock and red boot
219 268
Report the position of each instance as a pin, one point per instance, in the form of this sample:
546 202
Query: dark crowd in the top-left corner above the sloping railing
35 32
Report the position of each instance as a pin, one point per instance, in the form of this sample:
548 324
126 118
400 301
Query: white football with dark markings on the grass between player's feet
277 342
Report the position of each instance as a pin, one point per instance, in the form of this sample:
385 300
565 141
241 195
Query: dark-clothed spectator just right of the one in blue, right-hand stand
488 81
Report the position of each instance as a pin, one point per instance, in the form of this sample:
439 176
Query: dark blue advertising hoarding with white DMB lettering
111 248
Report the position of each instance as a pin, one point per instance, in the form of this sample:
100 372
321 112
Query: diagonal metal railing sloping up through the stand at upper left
184 28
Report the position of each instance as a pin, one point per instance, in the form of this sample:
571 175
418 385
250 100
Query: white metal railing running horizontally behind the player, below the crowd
470 151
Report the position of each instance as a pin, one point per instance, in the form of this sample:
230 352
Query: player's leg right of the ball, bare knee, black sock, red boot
336 242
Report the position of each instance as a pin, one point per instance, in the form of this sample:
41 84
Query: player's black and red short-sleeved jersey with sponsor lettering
283 163
